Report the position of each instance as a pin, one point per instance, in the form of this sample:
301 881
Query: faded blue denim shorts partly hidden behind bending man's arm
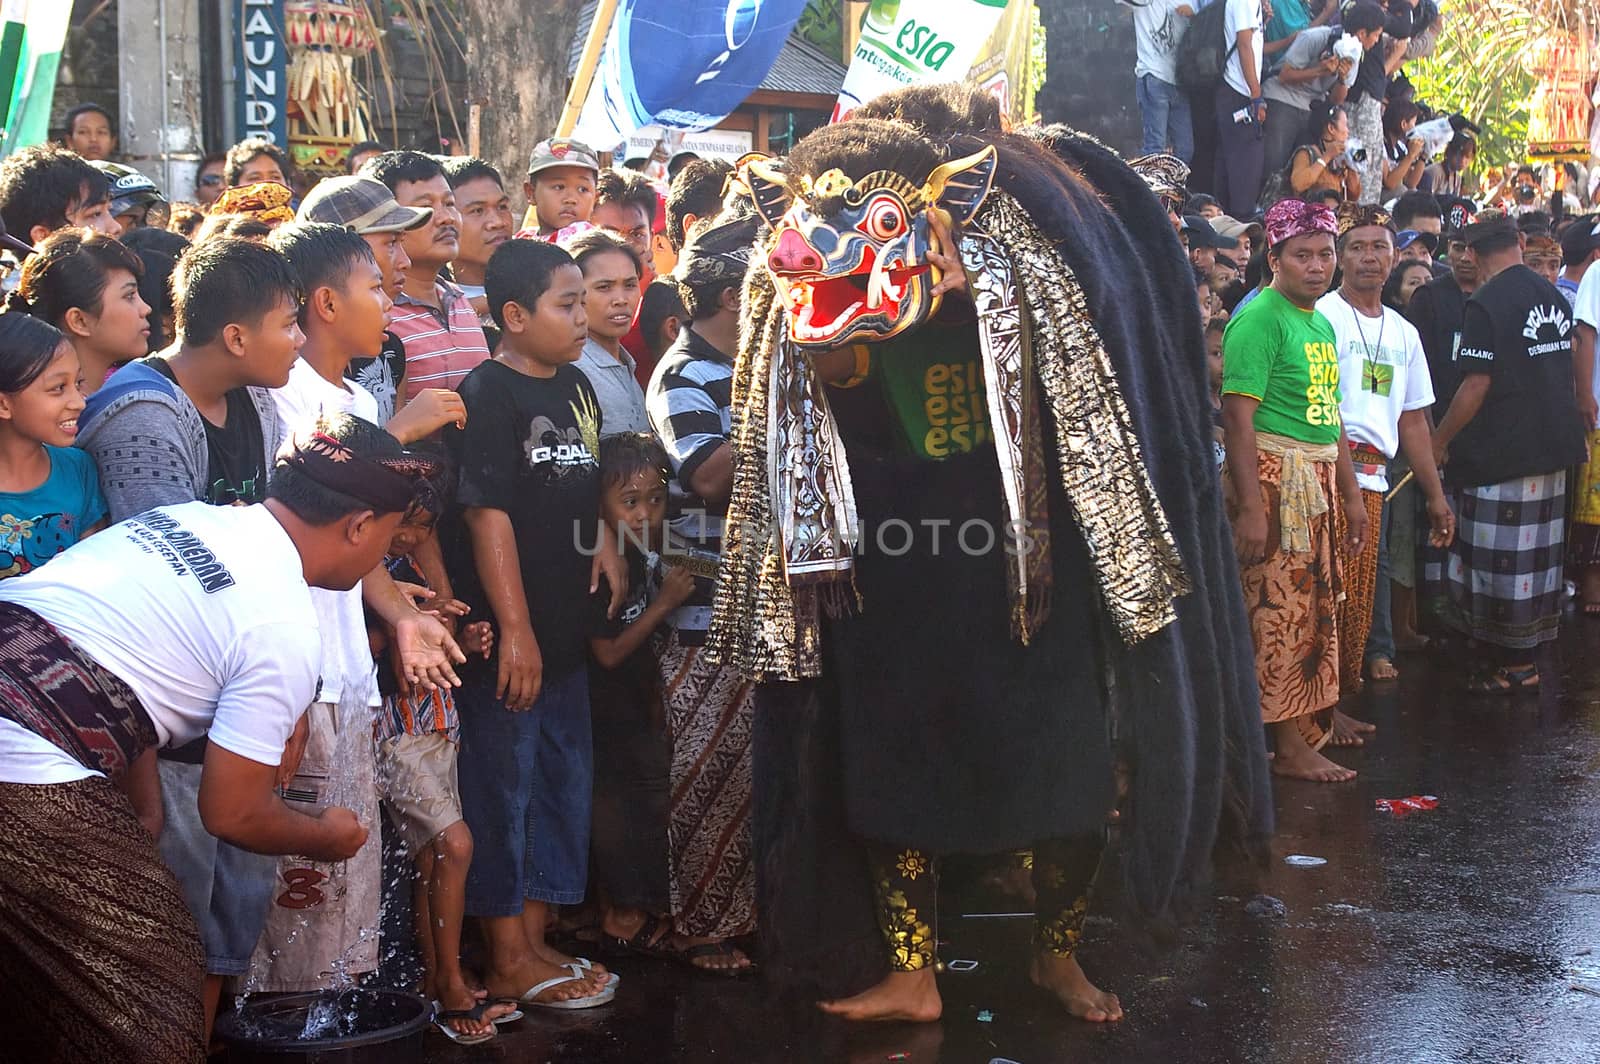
228 890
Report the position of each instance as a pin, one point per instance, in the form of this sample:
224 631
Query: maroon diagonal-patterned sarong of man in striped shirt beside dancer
711 718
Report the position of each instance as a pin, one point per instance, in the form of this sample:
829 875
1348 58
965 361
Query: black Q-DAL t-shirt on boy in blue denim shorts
530 450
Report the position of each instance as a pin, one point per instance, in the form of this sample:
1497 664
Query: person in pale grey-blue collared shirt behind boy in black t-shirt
612 294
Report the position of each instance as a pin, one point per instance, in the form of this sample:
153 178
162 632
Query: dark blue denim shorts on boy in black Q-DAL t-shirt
526 791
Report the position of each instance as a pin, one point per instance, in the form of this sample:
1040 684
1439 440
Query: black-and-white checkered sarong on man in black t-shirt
1502 582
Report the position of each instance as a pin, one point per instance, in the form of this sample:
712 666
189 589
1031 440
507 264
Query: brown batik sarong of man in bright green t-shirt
1294 601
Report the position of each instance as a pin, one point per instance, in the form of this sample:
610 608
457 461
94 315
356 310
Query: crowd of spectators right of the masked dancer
1383 329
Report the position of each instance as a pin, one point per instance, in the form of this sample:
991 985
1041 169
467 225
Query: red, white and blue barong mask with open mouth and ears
850 258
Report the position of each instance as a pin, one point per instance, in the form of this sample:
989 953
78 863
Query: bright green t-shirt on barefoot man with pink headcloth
1287 359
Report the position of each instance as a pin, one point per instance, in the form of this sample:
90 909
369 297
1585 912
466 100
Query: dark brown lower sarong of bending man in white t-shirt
98 956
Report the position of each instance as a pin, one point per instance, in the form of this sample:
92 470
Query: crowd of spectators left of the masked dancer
159 356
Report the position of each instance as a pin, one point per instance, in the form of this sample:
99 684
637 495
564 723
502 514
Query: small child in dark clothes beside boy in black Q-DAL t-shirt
633 751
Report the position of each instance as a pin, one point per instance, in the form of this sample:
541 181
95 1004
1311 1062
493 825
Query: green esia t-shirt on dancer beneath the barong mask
934 382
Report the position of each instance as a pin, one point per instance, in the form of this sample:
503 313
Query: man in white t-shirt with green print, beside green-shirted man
1385 391
